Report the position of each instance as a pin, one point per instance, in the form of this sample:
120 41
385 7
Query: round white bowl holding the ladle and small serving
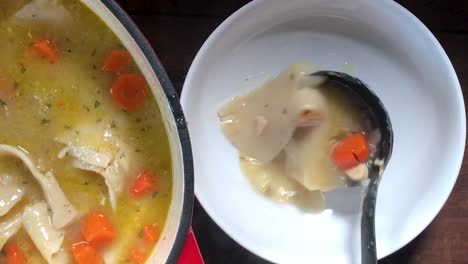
382 44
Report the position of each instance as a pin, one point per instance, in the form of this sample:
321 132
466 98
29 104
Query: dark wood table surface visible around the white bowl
178 28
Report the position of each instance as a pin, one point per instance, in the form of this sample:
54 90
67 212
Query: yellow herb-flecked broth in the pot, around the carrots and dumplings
69 103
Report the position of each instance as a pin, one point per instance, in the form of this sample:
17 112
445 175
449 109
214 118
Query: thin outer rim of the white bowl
402 11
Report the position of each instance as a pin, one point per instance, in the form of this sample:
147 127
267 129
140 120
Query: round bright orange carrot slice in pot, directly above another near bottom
97 230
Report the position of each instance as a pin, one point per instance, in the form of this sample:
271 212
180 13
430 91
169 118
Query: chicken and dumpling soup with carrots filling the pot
85 166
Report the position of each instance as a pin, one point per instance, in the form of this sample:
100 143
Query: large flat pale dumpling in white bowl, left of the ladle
261 123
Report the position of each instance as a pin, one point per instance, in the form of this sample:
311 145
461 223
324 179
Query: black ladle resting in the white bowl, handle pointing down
380 121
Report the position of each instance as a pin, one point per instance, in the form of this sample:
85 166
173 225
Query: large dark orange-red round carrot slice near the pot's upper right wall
129 91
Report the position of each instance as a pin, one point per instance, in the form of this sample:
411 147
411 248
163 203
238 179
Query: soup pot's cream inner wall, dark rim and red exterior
172 247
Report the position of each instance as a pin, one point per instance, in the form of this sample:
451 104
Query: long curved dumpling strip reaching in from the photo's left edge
63 211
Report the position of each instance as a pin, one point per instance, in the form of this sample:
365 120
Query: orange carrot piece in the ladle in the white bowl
351 151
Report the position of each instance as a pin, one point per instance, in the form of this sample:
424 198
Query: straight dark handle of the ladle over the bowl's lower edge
368 243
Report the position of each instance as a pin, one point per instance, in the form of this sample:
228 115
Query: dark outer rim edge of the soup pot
182 130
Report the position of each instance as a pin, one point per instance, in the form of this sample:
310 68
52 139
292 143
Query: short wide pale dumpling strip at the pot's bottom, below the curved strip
45 236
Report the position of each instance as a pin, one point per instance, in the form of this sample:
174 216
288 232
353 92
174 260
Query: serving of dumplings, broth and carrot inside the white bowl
298 137
